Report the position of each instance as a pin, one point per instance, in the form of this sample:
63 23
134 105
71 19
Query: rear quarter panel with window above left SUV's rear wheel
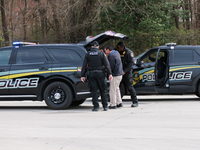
69 62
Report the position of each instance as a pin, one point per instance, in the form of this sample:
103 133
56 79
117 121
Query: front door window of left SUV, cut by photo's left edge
5 56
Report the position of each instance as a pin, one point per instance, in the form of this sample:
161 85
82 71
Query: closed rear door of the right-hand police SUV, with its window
184 70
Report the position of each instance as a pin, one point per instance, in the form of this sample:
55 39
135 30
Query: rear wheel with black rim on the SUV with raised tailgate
58 95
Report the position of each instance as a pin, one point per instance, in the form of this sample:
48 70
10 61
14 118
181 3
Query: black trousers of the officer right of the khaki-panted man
128 82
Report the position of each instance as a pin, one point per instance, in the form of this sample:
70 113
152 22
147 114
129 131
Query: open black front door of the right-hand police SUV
161 71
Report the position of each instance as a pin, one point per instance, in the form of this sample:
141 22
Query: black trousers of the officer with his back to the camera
97 81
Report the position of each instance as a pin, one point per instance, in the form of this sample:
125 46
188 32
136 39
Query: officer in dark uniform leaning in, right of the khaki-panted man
127 58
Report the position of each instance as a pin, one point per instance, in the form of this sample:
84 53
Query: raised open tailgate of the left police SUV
103 37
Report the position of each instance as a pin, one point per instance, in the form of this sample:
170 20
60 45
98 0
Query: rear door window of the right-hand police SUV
182 56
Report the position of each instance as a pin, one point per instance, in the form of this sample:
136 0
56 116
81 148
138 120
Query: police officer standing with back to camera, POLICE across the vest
95 62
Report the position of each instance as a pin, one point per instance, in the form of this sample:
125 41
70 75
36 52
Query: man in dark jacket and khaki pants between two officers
117 71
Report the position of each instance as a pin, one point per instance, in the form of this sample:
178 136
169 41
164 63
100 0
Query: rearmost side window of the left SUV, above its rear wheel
65 55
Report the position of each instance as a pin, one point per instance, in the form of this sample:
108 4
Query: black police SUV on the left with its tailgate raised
50 72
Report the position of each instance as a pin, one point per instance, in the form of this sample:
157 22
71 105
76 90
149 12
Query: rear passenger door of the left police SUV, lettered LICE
31 68
